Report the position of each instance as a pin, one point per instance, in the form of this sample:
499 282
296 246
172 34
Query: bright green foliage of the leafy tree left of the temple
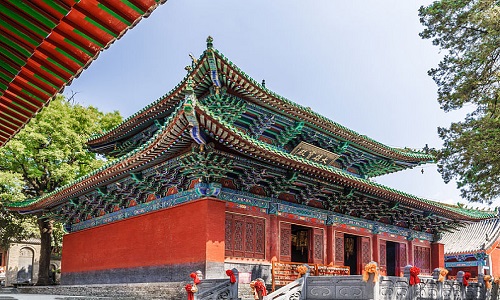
46 154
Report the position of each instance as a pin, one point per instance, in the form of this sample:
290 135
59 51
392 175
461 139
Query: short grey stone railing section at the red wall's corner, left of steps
217 289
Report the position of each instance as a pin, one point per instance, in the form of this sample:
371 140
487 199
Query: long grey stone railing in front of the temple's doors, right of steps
386 288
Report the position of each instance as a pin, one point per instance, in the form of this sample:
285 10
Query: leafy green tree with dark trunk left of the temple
50 152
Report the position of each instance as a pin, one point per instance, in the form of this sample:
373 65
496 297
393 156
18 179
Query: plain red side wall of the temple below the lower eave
192 232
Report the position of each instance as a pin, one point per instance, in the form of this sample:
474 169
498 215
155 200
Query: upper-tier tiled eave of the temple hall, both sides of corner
238 81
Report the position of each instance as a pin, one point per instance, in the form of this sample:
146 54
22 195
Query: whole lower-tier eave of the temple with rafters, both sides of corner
171 133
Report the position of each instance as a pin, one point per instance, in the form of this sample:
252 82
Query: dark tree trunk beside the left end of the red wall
45 227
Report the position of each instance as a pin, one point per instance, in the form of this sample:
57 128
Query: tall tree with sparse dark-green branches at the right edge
468 32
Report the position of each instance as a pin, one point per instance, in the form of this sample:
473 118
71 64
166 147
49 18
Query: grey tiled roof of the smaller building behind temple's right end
482 236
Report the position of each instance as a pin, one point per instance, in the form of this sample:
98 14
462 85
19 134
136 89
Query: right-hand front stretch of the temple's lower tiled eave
242 142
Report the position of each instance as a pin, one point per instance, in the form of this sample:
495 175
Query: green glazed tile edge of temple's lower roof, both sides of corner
246 144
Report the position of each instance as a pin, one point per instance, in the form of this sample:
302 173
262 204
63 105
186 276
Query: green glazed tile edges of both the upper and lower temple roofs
247 144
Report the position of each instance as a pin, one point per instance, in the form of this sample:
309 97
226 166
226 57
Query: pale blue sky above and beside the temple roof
359 63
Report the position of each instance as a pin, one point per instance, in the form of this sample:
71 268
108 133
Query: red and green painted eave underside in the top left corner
44 44
